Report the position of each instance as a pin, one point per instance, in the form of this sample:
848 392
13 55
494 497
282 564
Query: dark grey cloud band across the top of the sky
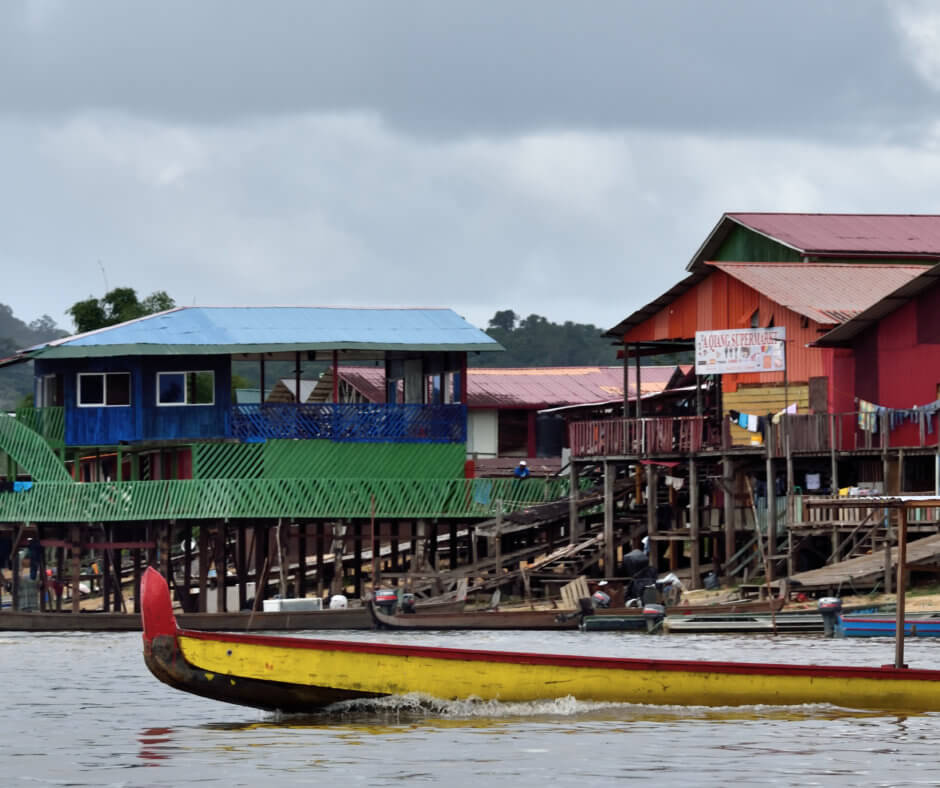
806 67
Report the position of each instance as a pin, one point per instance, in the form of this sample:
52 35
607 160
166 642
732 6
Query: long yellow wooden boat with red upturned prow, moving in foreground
302 675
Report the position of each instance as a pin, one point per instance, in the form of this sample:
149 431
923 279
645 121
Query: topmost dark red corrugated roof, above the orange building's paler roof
864 234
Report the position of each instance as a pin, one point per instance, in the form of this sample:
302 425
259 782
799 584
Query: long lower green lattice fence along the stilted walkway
241 498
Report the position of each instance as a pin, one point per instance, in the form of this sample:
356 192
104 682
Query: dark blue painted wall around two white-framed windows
143 420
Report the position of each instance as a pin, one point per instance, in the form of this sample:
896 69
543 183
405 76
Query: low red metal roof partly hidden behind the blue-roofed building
530 387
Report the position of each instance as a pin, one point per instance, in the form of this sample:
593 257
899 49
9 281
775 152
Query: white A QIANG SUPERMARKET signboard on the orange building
740 350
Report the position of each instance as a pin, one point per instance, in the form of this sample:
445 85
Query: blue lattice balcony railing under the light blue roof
351 422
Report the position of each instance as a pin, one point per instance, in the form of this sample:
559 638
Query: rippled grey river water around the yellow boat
82 710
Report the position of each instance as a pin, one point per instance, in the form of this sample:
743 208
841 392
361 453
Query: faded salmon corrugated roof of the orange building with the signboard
829 293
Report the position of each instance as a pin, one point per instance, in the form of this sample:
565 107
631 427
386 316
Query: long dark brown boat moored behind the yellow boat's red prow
236 621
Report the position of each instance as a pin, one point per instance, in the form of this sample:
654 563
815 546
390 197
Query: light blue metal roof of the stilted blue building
271 329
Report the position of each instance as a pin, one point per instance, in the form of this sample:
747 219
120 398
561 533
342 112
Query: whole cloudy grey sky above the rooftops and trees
556 158
